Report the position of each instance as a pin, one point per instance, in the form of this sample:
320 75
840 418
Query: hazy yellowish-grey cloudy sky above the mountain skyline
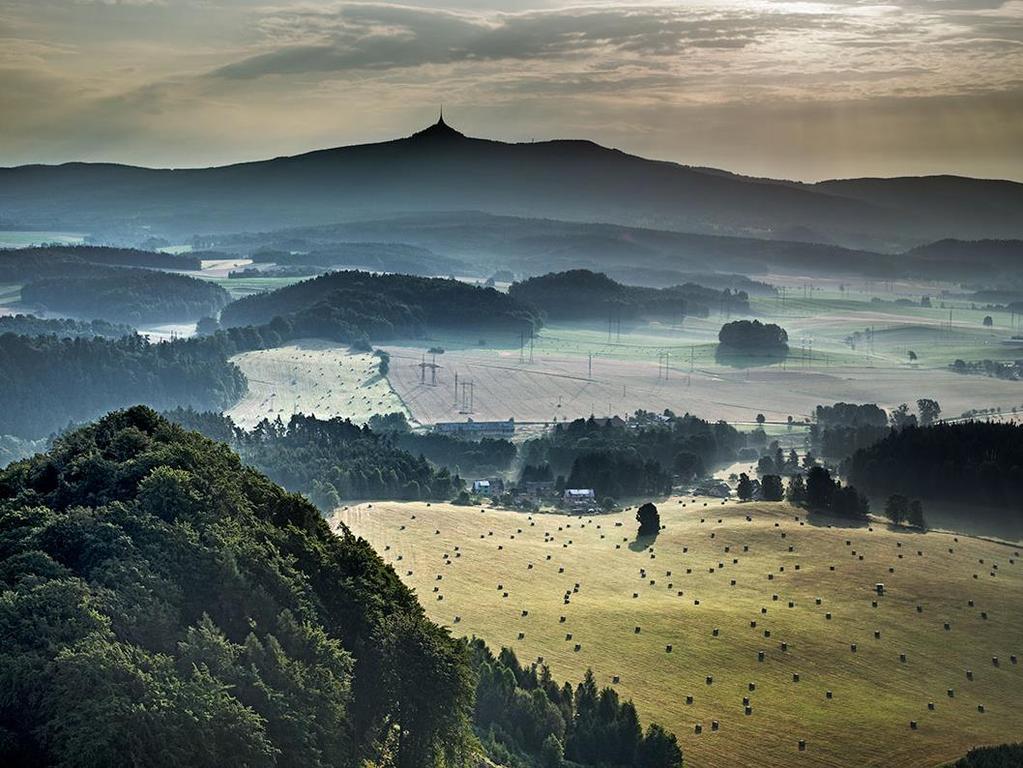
798 91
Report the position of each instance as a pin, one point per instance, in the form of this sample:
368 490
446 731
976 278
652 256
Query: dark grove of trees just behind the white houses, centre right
641 457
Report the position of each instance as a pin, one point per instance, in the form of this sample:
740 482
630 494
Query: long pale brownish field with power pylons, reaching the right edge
558 387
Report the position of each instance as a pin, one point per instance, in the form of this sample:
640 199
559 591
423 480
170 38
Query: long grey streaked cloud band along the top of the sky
376 36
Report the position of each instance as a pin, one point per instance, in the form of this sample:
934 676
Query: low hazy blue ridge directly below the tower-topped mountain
535 247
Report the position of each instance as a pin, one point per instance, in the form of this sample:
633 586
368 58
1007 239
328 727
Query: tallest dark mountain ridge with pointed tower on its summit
439 169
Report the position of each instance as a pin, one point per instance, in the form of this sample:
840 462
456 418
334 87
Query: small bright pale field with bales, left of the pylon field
315 378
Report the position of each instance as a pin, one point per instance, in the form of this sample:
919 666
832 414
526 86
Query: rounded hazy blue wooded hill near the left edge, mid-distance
132 296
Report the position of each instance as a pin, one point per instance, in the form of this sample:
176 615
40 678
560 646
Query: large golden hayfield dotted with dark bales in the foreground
505 577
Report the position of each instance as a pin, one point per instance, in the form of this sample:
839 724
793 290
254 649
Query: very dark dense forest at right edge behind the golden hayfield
975 462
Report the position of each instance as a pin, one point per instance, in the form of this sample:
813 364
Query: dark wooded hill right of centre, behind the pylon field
583 295
